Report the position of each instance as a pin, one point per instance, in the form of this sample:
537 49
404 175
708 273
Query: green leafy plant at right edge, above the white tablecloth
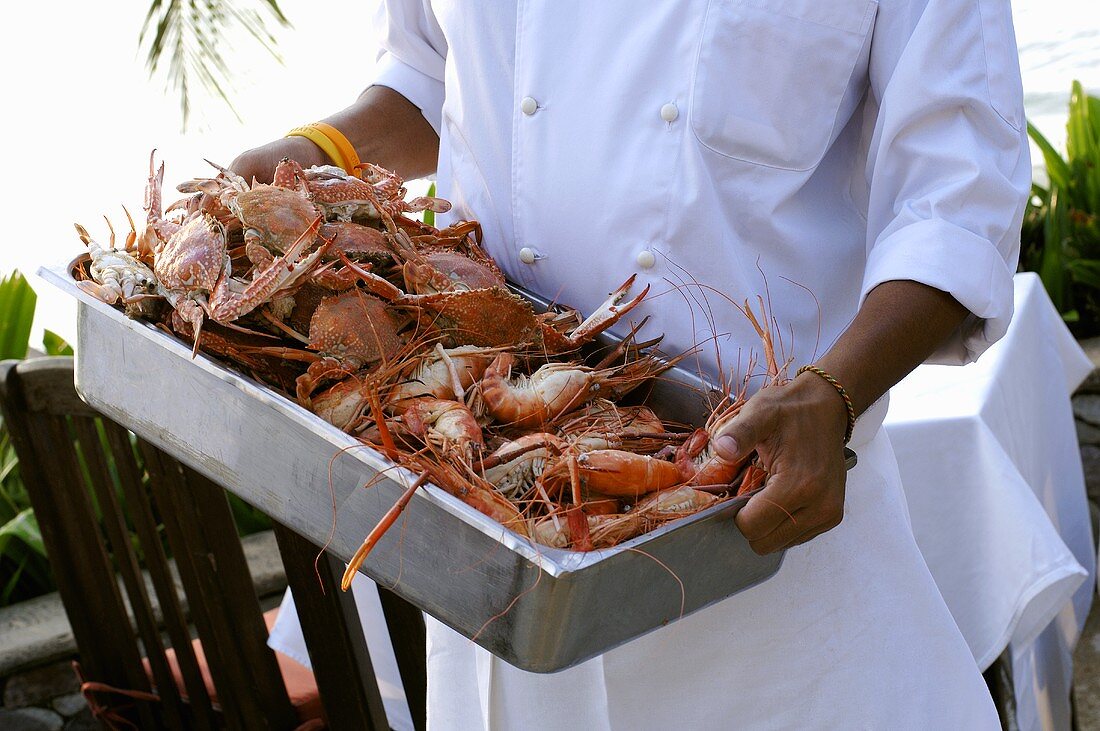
1061 238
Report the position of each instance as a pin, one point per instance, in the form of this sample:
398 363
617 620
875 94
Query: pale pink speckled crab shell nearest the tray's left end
194 257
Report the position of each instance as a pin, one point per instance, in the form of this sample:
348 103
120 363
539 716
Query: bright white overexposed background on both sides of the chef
82 115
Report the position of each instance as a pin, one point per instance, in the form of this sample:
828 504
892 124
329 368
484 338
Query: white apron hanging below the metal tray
851 634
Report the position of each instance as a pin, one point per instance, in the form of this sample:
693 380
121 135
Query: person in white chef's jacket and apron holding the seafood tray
862 165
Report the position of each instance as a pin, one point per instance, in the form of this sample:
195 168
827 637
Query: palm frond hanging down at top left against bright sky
192 36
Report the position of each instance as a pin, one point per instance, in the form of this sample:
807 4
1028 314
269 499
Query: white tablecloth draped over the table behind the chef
992 470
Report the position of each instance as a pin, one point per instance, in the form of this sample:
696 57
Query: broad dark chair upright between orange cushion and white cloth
334 637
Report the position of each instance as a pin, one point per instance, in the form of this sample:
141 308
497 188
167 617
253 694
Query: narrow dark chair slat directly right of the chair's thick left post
127 563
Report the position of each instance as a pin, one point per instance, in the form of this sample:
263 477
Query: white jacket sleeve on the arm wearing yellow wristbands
413 56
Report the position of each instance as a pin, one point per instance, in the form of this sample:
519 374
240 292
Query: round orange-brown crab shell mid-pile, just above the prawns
356 328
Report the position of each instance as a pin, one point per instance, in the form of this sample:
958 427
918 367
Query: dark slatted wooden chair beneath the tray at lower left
87 481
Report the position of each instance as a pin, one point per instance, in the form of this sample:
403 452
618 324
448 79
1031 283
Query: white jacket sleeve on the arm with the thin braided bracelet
949 169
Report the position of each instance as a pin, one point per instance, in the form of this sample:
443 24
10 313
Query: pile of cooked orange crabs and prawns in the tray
326 289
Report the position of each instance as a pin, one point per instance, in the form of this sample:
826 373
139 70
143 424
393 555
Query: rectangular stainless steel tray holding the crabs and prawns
541 610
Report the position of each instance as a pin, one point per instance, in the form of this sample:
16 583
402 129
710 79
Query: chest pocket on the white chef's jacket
773 76
